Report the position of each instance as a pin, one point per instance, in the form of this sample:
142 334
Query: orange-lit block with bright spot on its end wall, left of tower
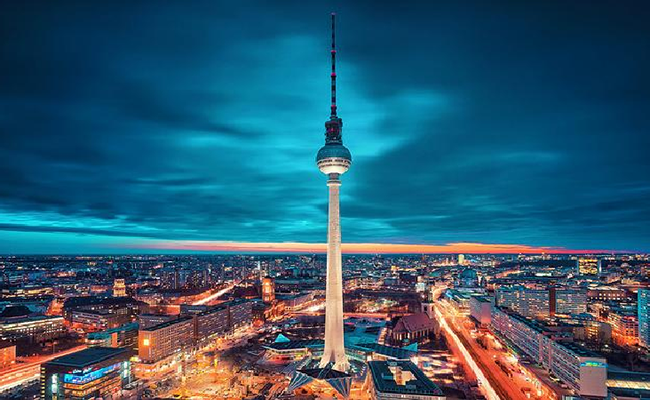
160 341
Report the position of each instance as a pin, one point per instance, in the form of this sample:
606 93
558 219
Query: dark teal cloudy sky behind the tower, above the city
129 124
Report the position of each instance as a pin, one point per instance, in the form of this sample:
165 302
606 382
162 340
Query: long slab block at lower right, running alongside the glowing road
583 371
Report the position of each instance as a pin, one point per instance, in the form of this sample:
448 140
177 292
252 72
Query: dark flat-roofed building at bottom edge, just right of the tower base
389 380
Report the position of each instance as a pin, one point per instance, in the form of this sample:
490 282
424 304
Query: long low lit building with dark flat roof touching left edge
32 329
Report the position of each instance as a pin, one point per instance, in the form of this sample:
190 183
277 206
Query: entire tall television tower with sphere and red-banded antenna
334 159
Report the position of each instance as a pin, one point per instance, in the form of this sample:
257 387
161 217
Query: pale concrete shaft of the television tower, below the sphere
334 351
